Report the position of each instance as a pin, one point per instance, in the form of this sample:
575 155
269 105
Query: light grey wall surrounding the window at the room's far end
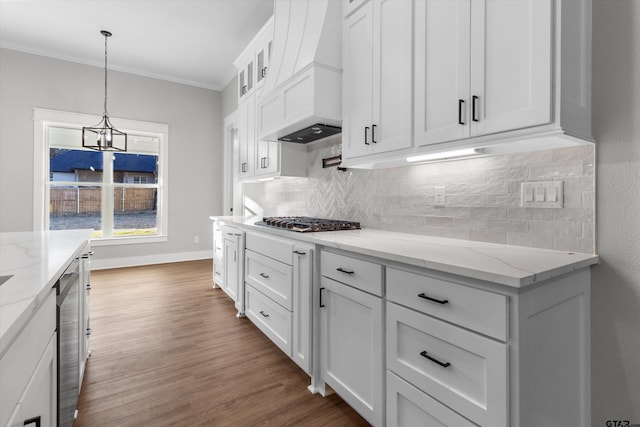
195 143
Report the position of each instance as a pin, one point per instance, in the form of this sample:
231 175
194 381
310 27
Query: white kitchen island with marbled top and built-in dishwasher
30 338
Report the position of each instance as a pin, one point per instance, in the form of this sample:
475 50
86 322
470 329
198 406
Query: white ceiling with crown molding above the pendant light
192 42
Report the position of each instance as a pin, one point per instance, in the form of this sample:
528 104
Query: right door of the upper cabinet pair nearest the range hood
391 125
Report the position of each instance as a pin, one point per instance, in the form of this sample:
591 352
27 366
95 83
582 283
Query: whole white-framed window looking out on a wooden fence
120 195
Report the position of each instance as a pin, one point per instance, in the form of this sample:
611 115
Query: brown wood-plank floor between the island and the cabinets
168 350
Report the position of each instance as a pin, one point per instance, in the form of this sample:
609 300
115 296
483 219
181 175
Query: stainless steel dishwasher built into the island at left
68 353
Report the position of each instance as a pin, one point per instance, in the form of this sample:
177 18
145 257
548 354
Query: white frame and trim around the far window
44 118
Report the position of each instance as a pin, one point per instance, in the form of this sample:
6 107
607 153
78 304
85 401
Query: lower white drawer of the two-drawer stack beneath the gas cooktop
272 319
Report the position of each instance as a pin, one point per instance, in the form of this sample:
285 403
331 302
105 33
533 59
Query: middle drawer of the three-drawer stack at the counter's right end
461 369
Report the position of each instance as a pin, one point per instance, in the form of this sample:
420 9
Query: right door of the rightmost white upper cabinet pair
511 64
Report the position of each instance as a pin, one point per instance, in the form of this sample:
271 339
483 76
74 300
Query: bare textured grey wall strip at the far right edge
616 281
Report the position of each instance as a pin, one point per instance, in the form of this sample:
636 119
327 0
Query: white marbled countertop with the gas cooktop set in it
514 266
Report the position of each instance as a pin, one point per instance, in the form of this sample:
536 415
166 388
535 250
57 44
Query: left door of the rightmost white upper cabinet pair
441 70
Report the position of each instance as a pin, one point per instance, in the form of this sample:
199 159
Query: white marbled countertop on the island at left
35 260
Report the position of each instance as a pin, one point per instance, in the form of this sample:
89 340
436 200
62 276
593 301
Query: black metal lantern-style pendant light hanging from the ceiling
104 136
